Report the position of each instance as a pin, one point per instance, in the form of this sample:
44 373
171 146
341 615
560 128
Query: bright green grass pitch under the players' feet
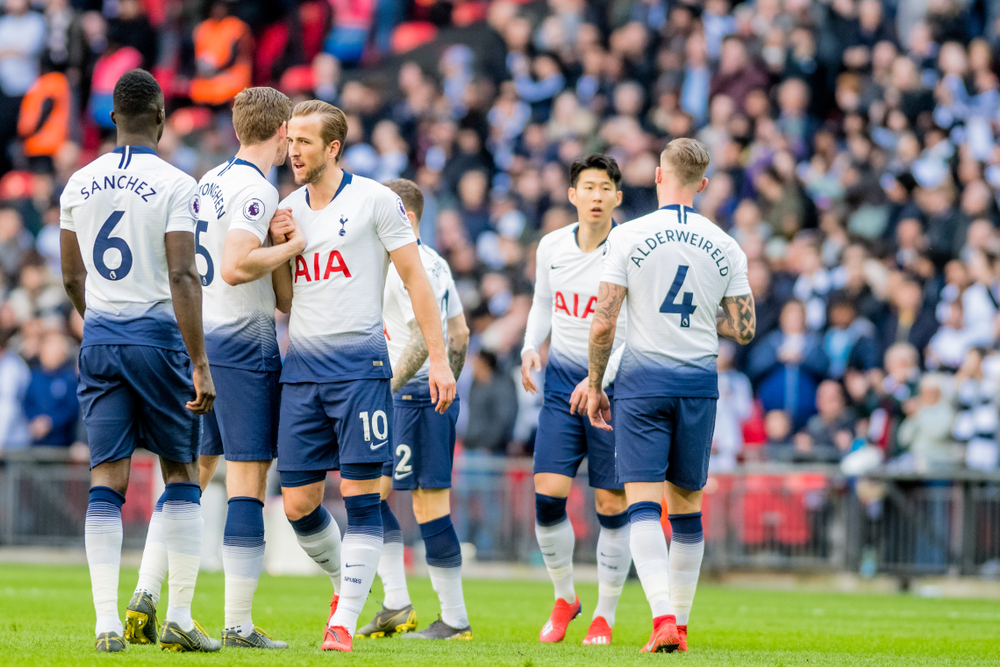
46 618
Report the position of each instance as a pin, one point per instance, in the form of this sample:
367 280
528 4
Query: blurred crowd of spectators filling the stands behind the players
853 158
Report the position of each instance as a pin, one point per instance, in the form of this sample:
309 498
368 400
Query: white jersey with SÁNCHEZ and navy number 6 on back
120 206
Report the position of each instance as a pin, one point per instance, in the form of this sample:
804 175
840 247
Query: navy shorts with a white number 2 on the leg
423 446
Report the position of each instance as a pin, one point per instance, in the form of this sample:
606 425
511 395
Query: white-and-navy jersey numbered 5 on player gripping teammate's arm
238 319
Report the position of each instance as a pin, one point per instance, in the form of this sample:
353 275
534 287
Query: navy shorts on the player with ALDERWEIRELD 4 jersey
664 438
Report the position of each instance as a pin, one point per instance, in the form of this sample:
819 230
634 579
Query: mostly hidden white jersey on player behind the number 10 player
397 312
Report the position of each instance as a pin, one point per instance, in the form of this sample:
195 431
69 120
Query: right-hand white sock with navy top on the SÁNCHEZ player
182 528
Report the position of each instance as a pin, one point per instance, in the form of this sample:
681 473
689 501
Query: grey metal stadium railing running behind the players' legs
757 518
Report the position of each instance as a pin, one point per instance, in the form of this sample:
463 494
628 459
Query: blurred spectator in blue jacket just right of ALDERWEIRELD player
788 365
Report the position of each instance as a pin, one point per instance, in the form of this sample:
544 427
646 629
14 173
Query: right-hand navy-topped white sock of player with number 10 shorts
359 557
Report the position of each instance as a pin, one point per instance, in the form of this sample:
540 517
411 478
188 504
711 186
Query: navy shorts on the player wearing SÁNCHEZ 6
134 395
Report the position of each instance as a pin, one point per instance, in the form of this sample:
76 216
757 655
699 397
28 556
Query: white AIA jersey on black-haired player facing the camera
566 282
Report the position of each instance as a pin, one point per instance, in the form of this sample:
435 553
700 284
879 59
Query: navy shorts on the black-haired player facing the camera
564 439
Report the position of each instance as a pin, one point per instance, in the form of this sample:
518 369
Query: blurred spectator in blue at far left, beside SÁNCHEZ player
50 403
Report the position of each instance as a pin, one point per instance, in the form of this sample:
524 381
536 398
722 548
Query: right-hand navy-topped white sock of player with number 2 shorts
444 564
